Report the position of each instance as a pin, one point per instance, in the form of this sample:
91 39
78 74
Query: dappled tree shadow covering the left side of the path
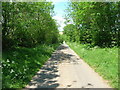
47 77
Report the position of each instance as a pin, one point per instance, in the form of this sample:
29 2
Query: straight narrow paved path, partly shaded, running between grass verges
66 70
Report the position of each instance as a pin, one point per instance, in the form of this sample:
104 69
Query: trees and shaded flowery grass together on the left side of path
30 35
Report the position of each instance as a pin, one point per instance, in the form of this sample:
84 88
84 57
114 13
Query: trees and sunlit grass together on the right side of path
93 35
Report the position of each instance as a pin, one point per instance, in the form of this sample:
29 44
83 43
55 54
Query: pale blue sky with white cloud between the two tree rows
59 9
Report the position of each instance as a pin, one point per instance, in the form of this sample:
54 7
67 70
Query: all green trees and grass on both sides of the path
30 35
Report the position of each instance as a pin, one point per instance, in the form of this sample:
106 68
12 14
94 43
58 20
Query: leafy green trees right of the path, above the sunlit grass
95 23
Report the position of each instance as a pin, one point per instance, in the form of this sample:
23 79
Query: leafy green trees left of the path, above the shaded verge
28 24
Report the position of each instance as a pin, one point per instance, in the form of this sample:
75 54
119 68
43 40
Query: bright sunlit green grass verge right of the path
102 60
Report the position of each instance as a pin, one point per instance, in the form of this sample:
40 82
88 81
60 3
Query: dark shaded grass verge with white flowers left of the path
21 64
